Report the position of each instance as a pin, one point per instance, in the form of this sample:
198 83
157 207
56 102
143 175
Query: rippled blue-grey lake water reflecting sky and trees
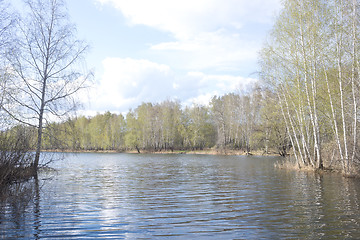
125 196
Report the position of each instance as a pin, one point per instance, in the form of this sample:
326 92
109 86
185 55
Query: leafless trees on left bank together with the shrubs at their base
39 75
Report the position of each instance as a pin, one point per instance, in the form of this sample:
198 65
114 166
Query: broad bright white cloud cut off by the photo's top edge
186 18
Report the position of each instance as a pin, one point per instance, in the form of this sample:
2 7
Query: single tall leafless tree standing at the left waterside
45 63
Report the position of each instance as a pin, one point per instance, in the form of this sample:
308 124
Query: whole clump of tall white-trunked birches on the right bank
311 62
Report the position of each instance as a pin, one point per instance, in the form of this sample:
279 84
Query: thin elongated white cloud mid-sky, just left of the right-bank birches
221 50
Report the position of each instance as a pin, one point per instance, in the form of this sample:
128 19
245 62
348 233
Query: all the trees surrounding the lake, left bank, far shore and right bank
304 107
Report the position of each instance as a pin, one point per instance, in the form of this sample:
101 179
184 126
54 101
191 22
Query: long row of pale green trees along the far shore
234 121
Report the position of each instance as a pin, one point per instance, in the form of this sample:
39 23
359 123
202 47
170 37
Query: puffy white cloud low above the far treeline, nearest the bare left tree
127 82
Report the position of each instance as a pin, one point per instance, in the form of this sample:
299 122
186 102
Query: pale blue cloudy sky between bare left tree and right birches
152 51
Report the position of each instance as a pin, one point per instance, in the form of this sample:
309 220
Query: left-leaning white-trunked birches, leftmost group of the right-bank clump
291 64
